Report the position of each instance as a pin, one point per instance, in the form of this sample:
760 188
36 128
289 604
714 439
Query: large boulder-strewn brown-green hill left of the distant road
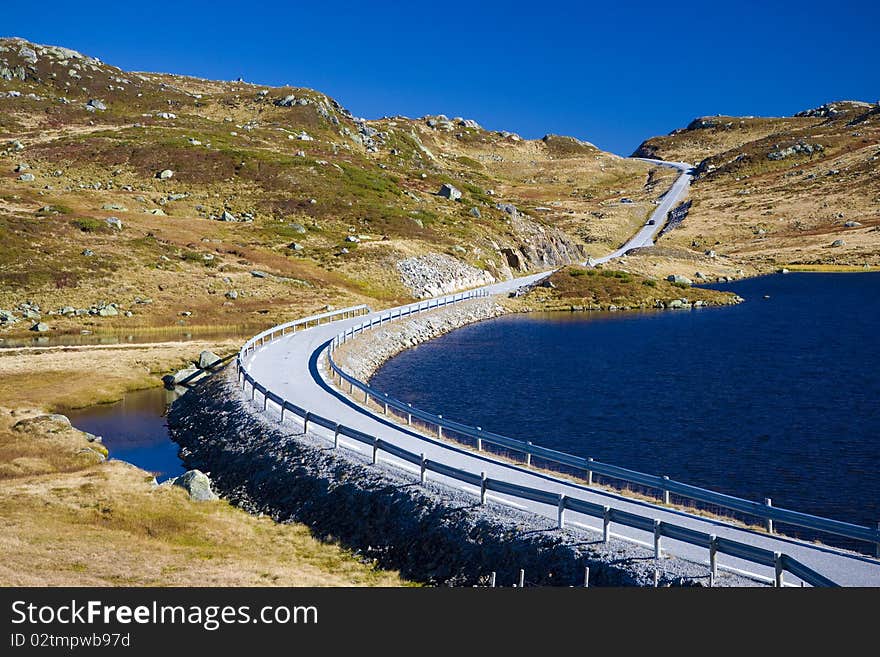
133 200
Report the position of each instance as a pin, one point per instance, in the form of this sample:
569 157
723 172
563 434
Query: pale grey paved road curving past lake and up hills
291 367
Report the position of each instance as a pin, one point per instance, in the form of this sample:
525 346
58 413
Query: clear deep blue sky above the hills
594 71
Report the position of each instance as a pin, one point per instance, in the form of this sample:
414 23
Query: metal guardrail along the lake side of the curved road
768 513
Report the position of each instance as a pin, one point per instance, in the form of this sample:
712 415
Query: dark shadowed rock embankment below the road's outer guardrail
431 533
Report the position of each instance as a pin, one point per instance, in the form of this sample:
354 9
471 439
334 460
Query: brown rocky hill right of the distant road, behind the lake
789 191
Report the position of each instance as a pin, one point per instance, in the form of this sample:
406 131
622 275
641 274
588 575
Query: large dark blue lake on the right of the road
774 398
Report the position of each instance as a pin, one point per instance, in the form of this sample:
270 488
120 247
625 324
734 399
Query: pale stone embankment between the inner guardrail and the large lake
364 355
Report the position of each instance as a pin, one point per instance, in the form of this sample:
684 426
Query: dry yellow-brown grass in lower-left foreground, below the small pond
69 519
